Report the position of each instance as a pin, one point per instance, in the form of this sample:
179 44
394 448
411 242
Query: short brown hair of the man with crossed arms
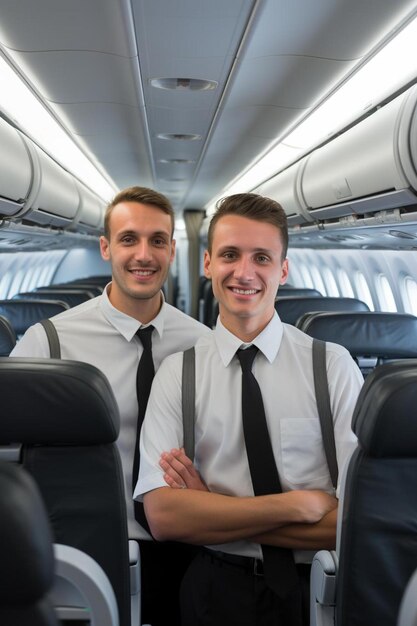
254 207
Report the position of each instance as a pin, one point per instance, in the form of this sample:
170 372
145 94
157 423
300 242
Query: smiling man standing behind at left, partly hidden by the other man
138 242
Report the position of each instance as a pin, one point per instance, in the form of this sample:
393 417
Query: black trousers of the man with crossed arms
215 593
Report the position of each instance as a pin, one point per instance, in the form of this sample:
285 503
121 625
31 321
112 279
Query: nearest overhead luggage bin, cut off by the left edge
15 170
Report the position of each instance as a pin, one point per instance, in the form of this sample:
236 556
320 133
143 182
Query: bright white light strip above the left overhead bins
21 106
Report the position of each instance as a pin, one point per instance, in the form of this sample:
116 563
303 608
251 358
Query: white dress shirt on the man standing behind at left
96 332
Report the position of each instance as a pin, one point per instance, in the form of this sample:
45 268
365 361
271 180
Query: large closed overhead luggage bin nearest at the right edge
370 167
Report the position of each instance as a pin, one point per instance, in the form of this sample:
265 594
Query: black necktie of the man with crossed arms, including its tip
279 567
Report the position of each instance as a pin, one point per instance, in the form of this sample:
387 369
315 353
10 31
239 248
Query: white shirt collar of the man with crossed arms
268 341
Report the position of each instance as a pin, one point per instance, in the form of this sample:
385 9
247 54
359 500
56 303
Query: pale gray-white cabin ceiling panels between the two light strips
91 62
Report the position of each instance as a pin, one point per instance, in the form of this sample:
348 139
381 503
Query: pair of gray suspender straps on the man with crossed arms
322 398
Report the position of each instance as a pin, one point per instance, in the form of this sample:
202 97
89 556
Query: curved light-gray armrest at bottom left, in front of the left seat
81 588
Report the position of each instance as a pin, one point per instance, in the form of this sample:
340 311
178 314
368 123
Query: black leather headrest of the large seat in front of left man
53 401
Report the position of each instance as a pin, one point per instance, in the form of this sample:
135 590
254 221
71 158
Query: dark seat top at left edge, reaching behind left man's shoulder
24 313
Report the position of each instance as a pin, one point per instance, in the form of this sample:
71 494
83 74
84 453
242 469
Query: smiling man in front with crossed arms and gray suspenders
215 504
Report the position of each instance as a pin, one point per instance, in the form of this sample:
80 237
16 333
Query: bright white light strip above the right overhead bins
387 71
